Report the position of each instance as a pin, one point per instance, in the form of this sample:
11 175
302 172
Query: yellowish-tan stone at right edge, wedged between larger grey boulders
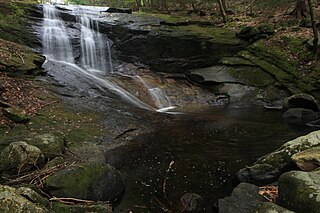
307 160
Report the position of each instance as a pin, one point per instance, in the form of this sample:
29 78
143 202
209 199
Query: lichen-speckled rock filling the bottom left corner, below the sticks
12 201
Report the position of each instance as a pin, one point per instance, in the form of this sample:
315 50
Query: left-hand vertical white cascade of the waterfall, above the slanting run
56 43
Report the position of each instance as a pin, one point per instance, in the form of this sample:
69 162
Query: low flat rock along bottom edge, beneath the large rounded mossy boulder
78 208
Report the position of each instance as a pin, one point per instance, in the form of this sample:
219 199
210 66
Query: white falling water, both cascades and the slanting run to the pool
95 55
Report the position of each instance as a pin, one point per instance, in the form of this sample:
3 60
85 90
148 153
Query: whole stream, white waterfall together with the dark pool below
194 151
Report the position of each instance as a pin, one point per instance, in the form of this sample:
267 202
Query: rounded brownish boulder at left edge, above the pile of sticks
20 157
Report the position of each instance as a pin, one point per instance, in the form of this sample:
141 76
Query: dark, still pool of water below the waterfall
207 149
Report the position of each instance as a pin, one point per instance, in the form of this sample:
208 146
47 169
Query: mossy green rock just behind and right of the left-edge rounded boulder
50 144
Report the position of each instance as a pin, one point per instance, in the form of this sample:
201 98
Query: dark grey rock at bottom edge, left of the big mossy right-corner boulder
244 198
